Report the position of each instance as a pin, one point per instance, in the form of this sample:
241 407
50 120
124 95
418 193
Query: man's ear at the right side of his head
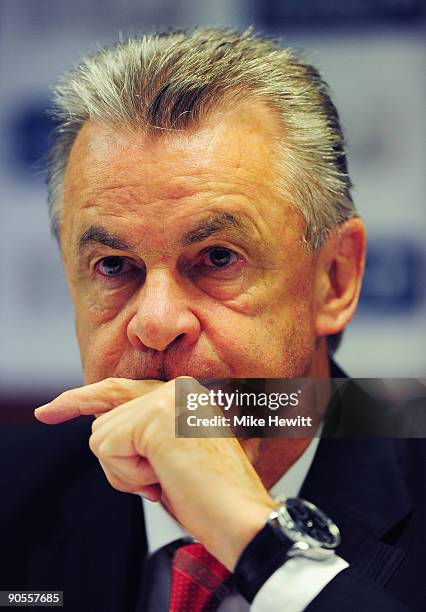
340 269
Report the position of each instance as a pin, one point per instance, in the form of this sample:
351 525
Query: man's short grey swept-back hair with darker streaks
172 81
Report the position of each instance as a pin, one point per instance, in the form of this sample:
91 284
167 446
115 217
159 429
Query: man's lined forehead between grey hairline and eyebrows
120 173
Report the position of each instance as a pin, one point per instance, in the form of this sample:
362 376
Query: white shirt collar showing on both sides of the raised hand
161 528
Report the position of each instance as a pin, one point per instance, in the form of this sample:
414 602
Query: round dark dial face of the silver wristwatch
312 523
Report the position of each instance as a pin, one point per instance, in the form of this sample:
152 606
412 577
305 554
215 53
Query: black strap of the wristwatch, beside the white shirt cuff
263 555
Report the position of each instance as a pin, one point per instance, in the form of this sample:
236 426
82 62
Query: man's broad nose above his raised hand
162 314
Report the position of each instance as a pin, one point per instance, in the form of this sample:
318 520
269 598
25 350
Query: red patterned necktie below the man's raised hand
199 581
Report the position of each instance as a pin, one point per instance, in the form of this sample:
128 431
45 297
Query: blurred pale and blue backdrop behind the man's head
371 52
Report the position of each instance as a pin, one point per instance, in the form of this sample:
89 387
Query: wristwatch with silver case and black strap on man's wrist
295 528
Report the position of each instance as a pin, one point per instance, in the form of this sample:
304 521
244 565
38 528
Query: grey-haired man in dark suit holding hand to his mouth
199 193
